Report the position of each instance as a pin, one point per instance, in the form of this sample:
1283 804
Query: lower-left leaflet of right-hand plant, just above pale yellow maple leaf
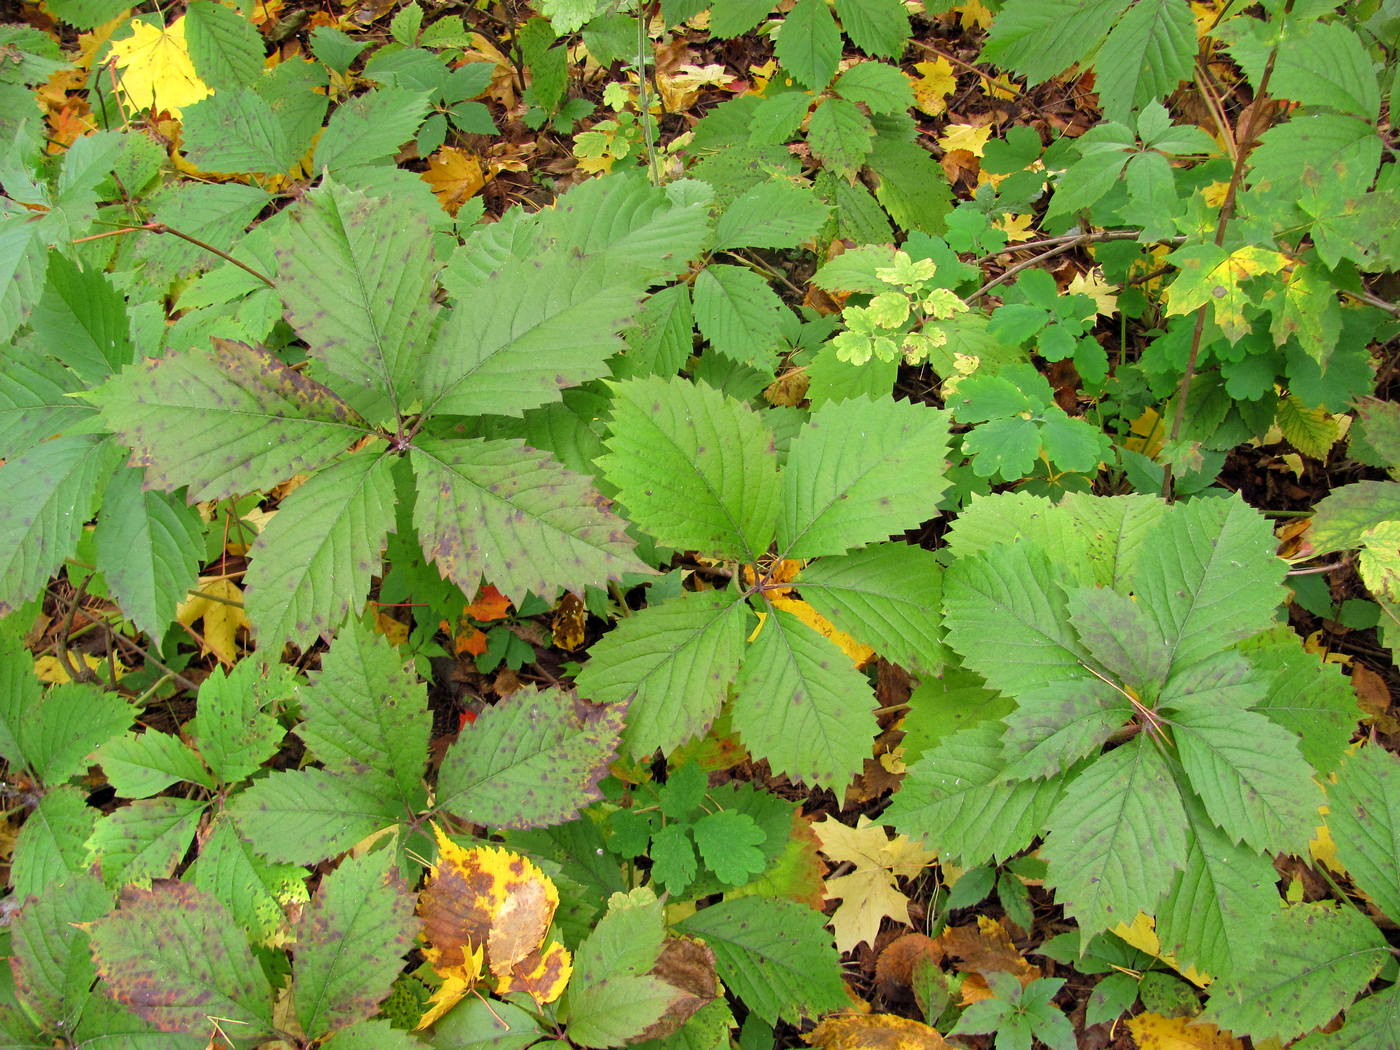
957 799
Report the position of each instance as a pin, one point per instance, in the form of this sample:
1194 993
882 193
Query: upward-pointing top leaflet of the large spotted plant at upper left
360 290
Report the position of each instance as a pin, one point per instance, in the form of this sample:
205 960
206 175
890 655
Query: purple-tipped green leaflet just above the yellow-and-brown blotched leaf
531 761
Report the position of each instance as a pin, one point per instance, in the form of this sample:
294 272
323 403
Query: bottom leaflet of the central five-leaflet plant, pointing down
803 706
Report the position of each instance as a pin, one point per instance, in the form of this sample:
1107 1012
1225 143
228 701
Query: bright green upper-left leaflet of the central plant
694 468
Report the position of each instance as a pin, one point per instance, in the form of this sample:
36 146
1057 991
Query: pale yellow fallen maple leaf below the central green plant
869 894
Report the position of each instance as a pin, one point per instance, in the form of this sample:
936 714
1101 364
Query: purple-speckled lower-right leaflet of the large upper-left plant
510 513
